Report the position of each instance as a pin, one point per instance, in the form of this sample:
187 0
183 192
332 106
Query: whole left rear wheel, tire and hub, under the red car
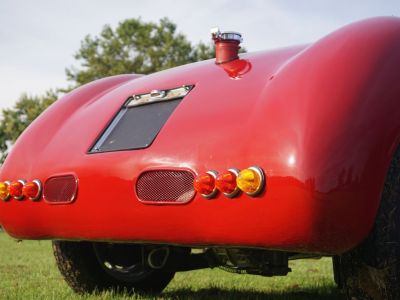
88 267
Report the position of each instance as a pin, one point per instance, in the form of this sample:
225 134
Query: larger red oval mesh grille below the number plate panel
165 186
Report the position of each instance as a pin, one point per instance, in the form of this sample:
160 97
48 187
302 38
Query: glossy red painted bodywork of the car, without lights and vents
322 120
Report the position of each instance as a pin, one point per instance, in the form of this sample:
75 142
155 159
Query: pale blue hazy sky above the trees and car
38 38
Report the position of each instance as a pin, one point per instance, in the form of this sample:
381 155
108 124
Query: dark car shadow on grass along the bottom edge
232 294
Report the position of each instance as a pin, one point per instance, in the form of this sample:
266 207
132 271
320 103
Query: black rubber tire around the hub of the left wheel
82 271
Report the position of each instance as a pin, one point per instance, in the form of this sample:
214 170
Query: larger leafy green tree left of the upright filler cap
134 47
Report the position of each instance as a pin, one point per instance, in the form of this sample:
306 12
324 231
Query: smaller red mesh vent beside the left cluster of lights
60 189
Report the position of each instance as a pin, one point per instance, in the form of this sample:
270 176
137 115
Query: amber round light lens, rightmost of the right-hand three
251 180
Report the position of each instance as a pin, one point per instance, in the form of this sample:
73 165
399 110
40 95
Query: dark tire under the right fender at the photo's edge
372 270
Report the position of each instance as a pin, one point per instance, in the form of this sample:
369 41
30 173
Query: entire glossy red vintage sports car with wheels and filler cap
254 158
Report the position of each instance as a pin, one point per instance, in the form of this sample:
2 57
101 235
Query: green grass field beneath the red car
28 271
